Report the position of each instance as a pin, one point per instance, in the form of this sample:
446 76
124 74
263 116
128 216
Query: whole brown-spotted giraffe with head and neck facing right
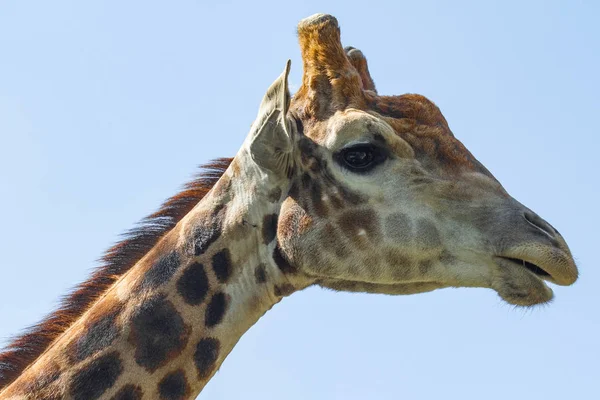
338 187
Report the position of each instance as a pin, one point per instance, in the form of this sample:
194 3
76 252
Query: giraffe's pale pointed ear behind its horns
271 140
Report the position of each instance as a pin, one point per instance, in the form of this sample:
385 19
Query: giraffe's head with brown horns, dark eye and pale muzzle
383 198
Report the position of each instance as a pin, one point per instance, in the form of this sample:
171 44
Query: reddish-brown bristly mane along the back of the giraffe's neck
23 350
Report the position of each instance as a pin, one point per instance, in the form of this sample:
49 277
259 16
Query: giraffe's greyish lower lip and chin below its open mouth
519 286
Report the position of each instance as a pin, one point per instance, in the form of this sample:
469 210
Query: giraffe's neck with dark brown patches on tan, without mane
165 327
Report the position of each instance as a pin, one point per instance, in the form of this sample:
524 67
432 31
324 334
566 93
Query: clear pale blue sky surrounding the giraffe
106 107
